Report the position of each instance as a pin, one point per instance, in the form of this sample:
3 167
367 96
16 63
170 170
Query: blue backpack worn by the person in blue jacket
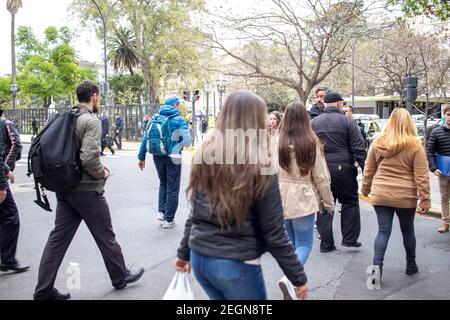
159 135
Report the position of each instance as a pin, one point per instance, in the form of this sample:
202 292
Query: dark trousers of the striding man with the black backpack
71 209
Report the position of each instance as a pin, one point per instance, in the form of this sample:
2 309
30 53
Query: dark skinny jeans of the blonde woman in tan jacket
385 216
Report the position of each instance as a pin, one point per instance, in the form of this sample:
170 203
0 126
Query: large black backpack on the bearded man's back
54 157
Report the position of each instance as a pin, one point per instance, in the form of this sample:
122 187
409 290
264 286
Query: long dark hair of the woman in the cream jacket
296 132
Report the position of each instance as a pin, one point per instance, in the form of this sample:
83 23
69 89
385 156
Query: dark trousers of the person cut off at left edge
9 229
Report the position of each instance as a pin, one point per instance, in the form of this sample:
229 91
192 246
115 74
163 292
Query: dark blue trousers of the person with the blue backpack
169 175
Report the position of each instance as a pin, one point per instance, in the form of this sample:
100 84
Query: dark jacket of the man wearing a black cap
341 137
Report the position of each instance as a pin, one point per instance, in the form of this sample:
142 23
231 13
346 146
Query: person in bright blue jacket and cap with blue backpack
165 138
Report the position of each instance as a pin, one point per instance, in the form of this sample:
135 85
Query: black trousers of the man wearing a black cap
344 186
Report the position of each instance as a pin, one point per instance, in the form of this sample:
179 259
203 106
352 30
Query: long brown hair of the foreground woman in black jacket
230 188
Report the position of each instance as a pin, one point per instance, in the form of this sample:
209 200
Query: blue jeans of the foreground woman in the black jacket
226 279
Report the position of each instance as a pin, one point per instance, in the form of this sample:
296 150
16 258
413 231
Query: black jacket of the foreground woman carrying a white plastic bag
263 231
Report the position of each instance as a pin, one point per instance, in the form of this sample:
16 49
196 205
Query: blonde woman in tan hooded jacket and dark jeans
396 176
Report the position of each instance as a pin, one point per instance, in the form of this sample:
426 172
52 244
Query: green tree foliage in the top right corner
431 8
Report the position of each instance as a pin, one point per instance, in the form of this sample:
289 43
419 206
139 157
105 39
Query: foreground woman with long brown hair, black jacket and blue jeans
236 212
